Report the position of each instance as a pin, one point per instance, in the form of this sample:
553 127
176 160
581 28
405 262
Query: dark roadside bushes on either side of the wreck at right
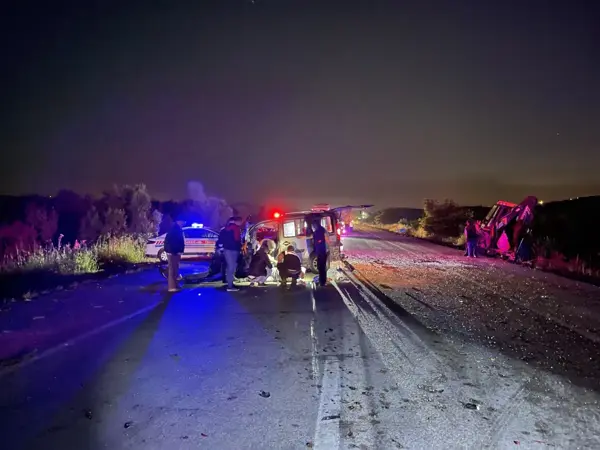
565 237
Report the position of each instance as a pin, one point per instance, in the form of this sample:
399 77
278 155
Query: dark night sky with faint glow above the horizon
384 102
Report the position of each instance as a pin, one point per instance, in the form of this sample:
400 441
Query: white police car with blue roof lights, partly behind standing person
199 243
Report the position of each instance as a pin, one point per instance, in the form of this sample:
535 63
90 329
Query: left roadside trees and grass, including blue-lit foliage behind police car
69 235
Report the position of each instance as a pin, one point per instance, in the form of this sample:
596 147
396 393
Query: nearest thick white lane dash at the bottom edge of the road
327 432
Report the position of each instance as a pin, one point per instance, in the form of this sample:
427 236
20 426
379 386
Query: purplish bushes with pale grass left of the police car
109 231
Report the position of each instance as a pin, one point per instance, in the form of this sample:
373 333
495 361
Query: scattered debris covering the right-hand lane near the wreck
495 304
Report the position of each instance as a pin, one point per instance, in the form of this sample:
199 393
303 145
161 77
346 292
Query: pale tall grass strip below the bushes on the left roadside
118 250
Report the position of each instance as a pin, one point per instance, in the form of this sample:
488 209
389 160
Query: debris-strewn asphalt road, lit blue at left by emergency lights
417 348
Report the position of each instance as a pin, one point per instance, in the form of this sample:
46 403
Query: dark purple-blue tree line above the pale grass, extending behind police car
72 219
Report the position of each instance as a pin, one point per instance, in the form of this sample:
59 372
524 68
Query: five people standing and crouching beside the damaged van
288 263
